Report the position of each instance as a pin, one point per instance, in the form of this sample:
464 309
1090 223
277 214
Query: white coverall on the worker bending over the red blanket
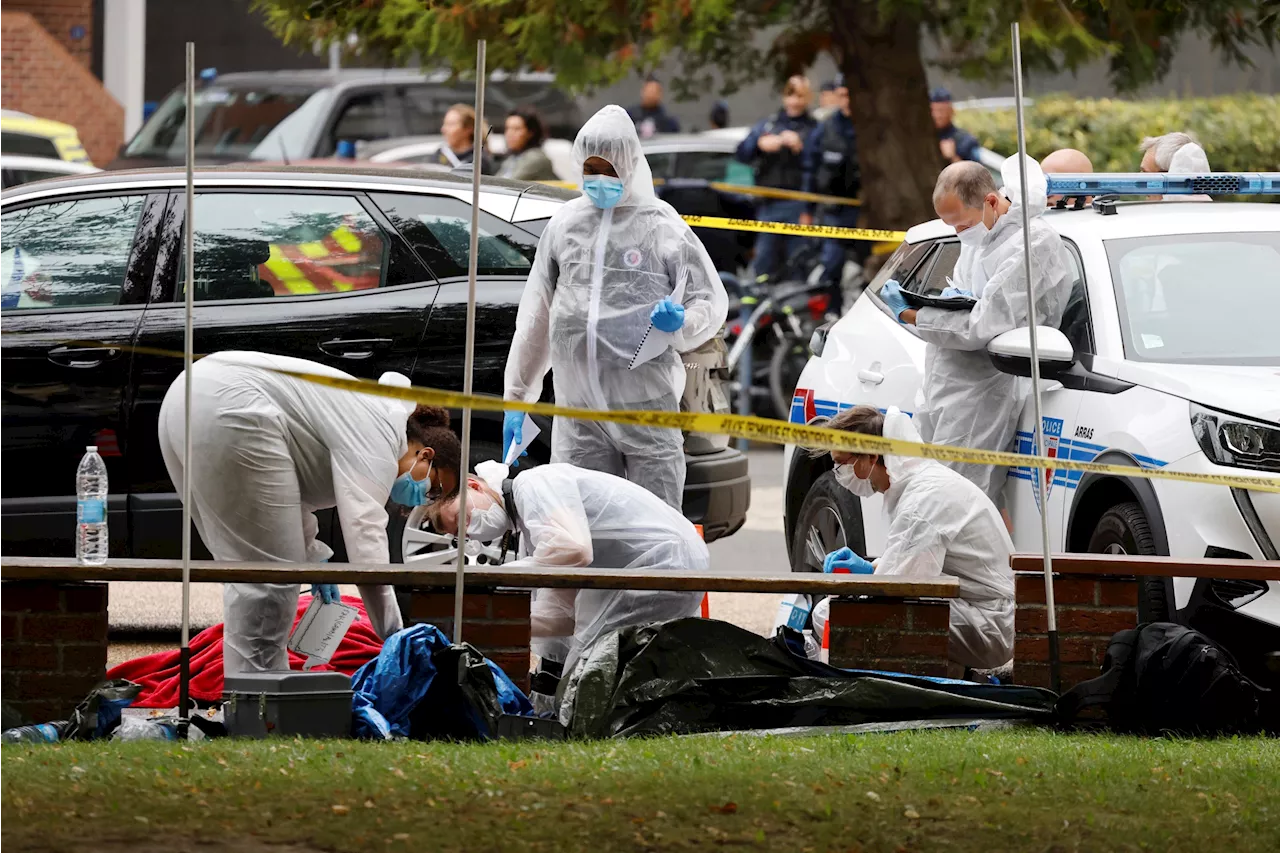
268 451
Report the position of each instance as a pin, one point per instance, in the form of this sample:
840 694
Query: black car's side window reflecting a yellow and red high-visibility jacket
271 245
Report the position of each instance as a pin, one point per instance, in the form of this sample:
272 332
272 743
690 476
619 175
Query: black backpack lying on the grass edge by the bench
1162 677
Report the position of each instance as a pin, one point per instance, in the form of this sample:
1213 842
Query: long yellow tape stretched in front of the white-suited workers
783 434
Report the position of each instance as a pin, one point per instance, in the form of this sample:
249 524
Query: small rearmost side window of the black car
440 230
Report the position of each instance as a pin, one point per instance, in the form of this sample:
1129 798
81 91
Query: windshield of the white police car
1199 299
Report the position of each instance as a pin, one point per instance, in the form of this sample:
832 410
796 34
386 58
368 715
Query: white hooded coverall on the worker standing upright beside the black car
596 279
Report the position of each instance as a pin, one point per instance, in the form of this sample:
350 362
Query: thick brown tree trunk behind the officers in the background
898 145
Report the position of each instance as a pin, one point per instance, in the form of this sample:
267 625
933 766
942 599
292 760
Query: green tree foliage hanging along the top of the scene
591 43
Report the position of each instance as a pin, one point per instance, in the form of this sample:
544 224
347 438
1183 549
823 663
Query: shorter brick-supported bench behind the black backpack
1096 596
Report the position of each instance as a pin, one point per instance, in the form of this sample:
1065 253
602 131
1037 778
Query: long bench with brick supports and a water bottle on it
53 613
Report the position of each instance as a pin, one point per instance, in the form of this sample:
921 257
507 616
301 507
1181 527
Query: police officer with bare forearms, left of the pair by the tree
775 149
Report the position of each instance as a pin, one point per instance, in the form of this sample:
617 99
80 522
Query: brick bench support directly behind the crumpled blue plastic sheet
496 623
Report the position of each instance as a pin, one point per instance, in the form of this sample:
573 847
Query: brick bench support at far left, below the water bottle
53 646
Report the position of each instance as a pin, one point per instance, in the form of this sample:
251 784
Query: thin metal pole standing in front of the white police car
1041 475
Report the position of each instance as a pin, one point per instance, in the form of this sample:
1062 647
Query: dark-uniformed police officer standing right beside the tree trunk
831 168
